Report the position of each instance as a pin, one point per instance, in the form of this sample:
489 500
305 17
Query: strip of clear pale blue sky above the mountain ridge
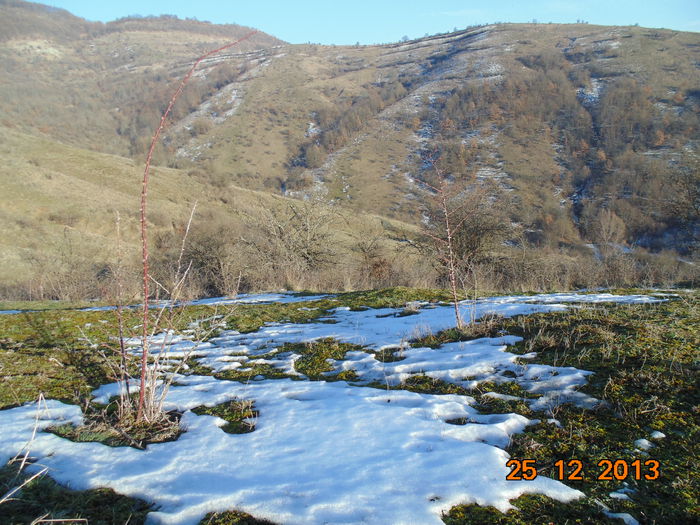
378 21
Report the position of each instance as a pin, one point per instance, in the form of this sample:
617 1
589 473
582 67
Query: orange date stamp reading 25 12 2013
572 470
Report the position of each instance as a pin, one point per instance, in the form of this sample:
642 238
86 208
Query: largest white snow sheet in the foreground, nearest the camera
315 457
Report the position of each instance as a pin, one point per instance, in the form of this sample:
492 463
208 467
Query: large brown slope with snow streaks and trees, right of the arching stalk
564 115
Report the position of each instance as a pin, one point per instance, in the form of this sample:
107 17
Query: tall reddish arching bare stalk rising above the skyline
141 414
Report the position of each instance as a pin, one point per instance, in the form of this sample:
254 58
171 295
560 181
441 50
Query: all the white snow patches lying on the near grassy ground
327 452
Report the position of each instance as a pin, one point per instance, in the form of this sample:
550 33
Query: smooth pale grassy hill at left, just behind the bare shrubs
61 203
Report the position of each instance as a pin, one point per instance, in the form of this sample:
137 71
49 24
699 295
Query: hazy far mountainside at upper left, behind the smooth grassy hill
99 85
